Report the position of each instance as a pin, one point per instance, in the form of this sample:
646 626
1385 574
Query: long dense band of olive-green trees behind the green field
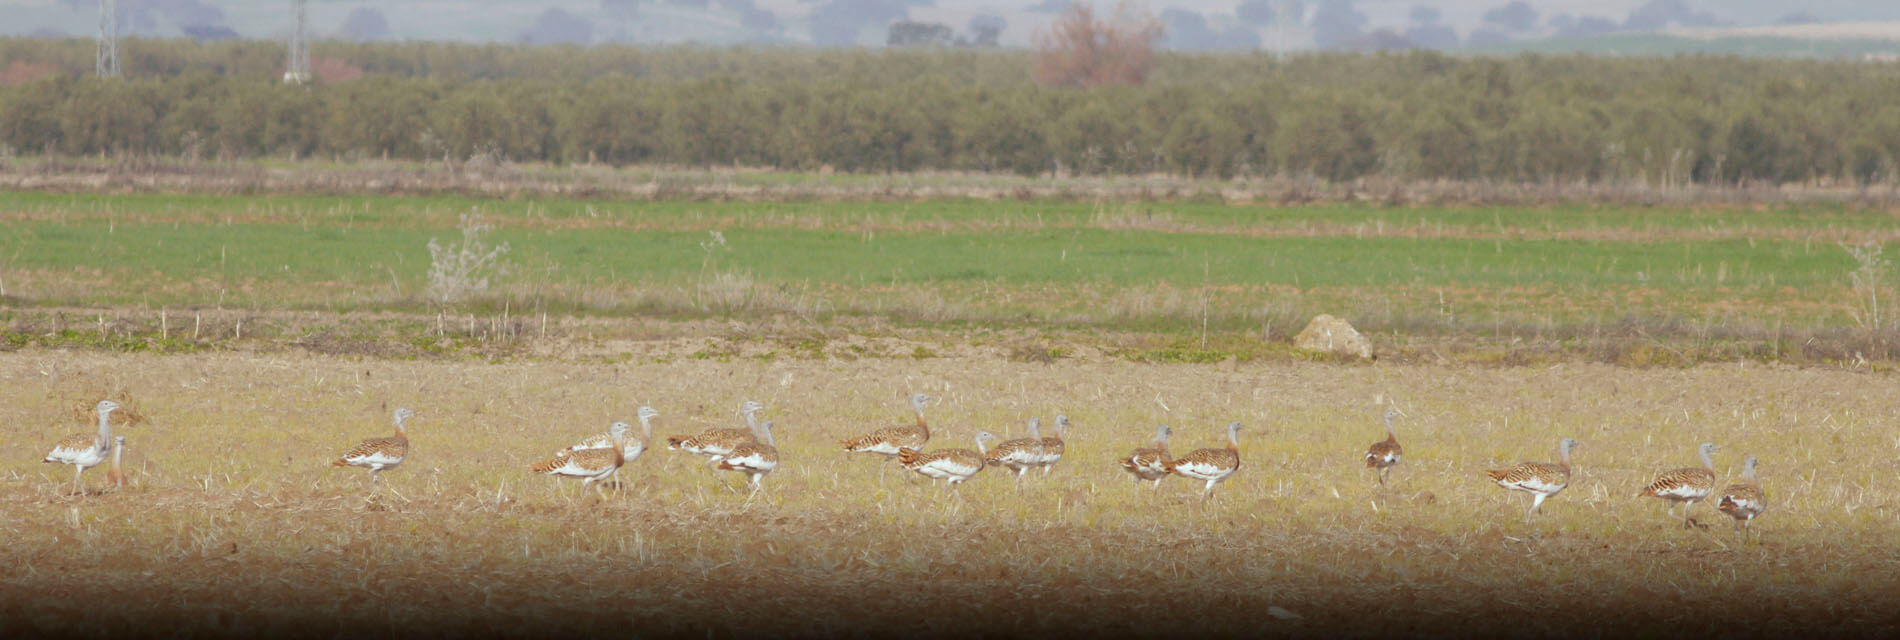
1327 117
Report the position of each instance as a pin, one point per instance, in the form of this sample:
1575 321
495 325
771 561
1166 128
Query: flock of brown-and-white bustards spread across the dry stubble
753 453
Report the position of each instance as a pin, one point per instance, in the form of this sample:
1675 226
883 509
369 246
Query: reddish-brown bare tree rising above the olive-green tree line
1086 52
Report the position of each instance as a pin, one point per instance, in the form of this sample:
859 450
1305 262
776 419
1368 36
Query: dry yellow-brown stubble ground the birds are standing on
235 523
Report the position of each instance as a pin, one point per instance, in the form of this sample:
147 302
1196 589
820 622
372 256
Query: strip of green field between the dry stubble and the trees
1171 267
